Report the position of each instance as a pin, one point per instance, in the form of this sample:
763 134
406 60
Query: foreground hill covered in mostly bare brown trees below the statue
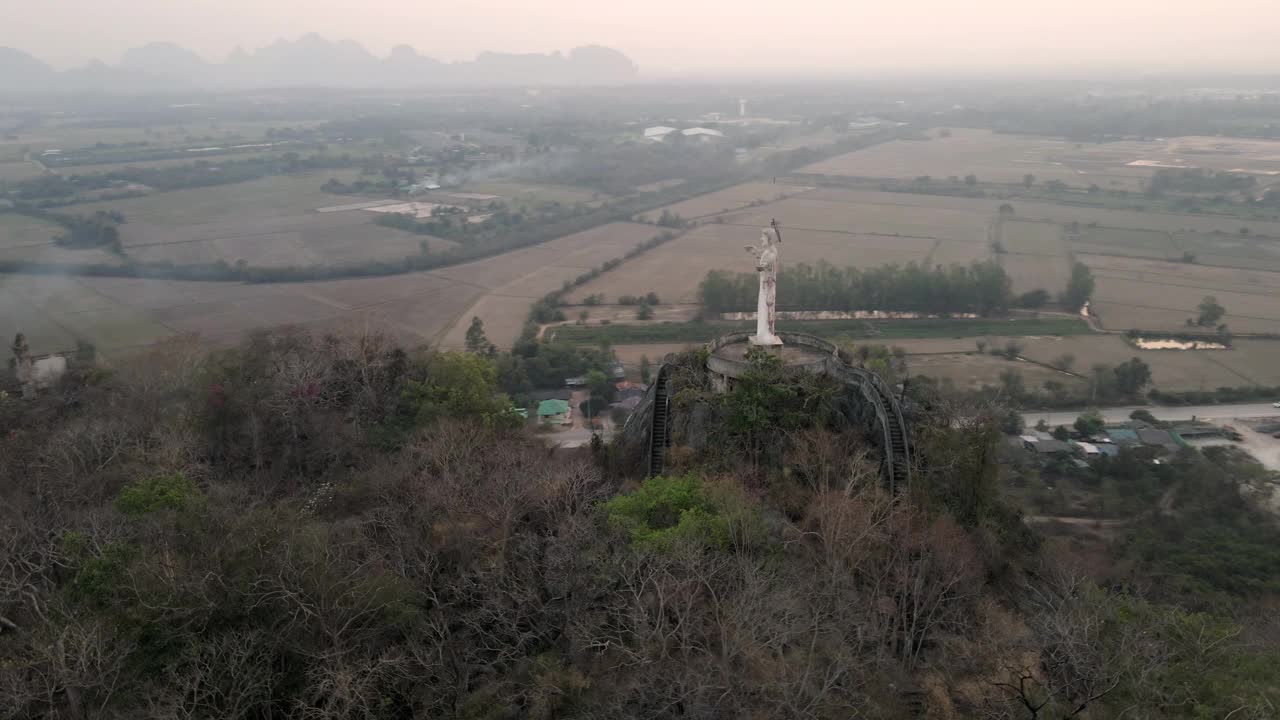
341 528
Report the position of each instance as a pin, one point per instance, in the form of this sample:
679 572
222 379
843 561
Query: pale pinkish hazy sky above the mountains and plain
674 37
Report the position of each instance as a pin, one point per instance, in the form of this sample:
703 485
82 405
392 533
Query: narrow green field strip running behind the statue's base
881 330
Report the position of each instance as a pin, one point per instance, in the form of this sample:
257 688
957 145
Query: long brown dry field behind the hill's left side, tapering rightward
120 315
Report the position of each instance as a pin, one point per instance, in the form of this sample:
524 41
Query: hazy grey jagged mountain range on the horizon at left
312 62
